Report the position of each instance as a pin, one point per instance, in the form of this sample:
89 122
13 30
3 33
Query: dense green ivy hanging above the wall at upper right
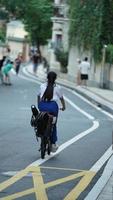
91 25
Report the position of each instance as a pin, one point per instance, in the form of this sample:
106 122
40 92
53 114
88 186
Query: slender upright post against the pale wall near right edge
102 73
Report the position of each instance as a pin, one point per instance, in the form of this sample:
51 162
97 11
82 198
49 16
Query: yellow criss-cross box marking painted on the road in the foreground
40 188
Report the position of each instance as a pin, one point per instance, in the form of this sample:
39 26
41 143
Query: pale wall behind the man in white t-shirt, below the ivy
96 76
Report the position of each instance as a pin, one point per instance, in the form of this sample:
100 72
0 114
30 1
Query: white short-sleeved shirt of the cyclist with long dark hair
57 92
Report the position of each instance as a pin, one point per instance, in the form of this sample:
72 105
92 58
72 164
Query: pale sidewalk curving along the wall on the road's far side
102 97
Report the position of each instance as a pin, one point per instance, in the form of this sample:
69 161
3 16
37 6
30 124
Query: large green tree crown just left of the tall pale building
37 21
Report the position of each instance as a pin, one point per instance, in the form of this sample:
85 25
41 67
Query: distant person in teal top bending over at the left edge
5 71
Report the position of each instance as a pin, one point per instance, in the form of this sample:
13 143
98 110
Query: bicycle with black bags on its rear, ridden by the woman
43 123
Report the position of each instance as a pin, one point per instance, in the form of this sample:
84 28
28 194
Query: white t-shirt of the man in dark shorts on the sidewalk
84 67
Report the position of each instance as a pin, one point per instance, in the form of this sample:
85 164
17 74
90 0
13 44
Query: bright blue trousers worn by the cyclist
52 108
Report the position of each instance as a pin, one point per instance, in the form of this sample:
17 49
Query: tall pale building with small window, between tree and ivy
59 31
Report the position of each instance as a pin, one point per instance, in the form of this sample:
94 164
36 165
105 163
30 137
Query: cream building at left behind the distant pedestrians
16 38
